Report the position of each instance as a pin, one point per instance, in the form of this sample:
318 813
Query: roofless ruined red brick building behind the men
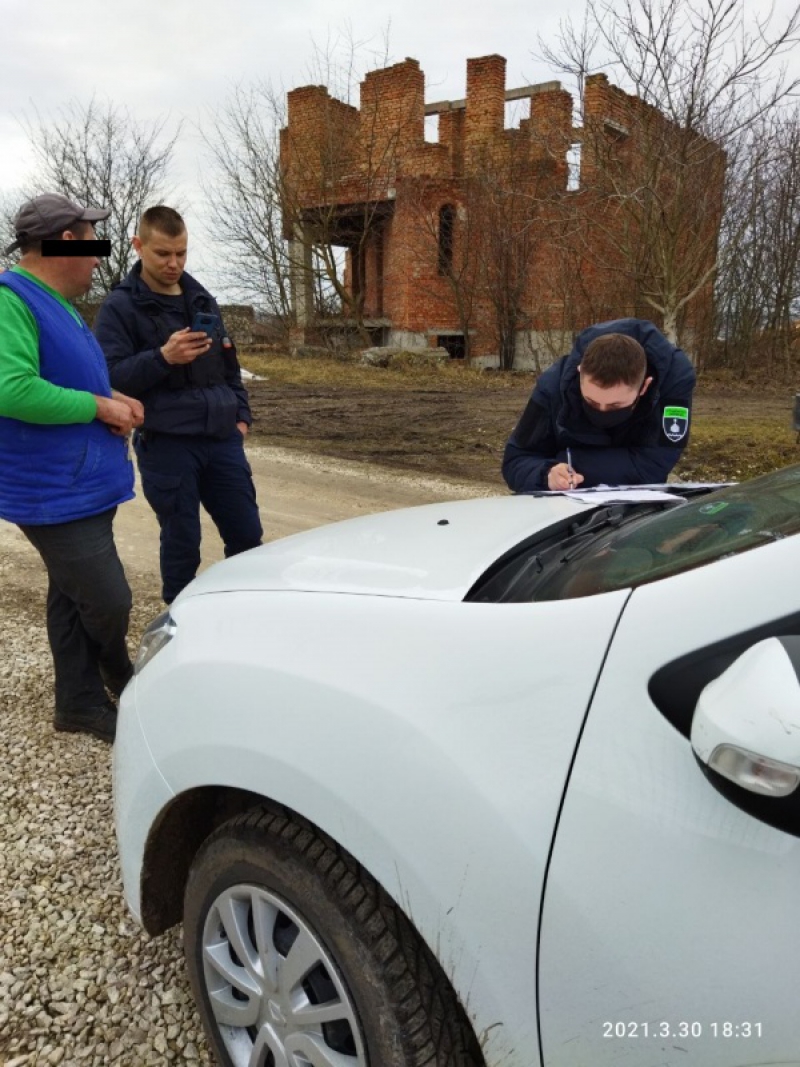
495 242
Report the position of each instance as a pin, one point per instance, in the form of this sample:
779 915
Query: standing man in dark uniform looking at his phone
164 338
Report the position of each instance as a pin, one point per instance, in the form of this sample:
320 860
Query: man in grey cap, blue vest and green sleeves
65 464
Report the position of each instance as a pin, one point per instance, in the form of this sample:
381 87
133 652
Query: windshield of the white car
731 521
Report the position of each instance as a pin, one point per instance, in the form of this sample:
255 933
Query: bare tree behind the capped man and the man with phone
100 155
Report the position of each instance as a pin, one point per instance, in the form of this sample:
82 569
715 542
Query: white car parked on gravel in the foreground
507 783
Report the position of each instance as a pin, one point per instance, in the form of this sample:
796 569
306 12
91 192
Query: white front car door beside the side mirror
669 930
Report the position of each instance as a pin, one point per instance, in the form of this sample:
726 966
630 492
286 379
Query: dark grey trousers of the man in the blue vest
89 604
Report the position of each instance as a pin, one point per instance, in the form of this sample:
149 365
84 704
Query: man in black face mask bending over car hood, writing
615 411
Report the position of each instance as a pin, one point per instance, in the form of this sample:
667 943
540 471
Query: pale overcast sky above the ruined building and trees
174 59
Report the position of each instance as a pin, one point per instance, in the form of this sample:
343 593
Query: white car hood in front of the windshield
436 552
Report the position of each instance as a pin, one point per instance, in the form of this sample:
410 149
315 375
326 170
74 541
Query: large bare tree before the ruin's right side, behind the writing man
700 74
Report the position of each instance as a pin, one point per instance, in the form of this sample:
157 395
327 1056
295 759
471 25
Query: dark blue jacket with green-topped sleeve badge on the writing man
643 451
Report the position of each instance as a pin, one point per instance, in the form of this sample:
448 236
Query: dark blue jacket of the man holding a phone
205 397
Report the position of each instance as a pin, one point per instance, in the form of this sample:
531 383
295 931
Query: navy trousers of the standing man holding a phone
180 473
